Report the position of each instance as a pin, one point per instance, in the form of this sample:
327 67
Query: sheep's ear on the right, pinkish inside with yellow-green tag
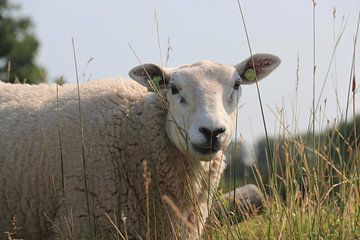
264 64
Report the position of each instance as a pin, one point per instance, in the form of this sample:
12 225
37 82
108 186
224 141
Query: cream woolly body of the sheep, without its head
123 127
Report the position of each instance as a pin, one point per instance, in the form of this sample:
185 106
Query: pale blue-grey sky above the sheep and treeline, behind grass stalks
208 30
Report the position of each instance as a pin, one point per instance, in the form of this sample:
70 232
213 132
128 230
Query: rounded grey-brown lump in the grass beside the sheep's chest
248 202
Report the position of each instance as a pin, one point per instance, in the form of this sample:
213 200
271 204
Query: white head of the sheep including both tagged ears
203 99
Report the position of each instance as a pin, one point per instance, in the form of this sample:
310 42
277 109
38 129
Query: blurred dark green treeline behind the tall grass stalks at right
296 163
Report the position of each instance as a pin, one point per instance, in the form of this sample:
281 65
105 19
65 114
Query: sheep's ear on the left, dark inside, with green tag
151 76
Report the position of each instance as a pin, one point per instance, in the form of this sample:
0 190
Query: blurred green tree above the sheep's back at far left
18 47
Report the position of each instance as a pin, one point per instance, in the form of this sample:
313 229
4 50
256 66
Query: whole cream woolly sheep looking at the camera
125 158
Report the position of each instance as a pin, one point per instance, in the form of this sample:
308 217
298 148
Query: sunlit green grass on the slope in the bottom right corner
297 222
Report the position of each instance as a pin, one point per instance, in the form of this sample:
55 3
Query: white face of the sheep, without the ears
203 99
